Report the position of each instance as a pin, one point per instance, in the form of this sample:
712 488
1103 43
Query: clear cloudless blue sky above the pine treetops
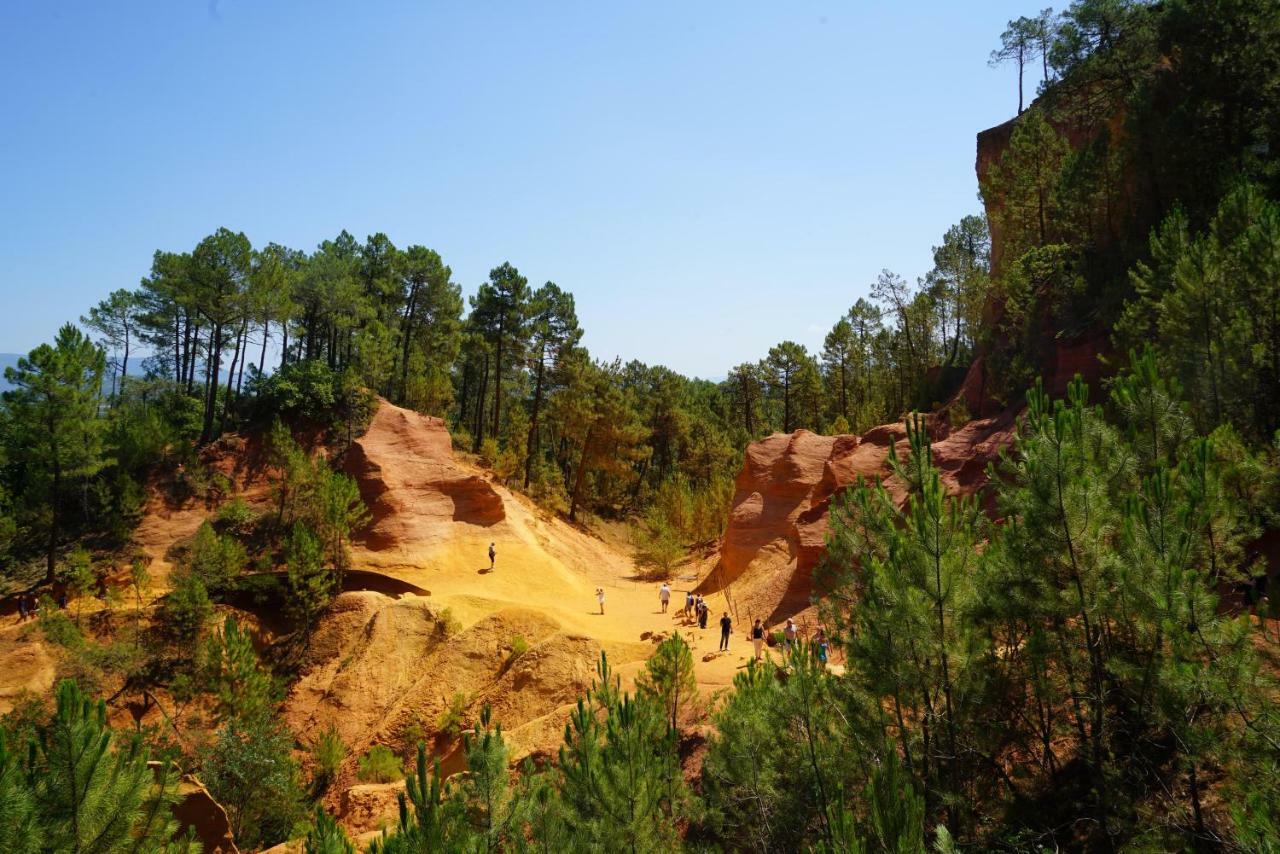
707 179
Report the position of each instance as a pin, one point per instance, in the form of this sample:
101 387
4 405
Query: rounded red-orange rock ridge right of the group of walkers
778 527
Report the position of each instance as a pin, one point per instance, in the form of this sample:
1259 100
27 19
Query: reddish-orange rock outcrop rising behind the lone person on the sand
414 490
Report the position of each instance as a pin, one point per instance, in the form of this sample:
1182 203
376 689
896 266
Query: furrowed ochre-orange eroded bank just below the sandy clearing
385 672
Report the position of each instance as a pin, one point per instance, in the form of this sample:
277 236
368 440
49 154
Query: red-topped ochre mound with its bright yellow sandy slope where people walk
436 515
